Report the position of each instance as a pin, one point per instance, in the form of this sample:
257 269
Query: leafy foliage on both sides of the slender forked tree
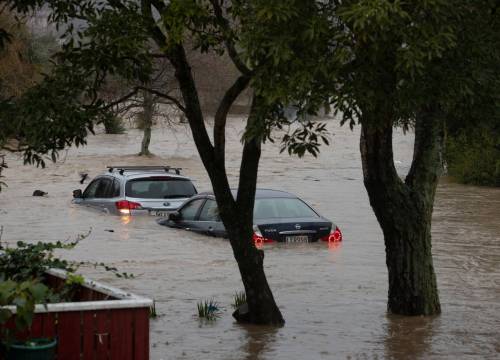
283 44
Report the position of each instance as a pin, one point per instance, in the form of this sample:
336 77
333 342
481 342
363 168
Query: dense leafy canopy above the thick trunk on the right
402 56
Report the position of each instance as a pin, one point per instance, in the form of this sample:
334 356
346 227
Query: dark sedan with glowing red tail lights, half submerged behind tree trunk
278 216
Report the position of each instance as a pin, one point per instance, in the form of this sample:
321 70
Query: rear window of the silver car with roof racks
159 188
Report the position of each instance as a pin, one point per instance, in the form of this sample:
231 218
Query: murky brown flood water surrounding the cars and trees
333 299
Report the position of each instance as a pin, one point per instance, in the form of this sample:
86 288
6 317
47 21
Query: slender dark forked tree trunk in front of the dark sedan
237 215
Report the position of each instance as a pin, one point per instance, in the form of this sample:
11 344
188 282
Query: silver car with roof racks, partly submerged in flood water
137 190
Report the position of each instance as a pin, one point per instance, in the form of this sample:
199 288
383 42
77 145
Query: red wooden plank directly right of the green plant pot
69 335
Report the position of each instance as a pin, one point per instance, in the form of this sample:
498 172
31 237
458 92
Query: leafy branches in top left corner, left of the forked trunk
62 109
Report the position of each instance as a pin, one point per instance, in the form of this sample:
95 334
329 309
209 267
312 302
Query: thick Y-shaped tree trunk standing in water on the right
404 209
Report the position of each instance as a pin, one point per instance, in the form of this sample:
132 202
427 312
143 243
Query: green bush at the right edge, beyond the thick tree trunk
473 156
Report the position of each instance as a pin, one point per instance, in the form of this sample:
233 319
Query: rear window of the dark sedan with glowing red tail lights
282 208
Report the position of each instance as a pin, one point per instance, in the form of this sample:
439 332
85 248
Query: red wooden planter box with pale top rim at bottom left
107 323
